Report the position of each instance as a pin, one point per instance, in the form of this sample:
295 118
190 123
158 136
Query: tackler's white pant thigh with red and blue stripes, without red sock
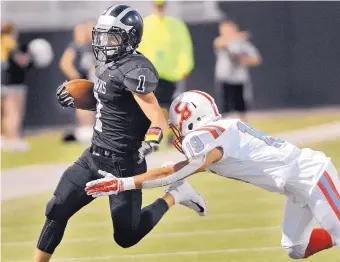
325 202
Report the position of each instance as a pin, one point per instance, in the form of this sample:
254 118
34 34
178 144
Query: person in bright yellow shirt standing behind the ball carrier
167 44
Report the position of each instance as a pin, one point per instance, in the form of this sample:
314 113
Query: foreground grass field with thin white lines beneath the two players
243 224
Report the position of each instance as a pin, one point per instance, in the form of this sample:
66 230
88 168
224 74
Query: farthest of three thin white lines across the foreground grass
178 219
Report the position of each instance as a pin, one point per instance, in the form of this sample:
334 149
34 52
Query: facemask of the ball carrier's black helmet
109 45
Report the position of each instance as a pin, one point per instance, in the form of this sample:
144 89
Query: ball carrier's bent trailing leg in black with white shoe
131 224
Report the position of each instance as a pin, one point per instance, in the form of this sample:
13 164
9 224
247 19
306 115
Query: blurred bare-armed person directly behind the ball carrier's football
77 63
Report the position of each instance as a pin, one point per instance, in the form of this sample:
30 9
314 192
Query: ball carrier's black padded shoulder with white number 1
140 76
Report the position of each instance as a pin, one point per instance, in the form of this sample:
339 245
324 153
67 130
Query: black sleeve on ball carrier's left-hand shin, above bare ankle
51 235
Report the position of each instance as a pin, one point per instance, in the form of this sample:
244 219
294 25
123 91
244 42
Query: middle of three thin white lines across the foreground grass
161 235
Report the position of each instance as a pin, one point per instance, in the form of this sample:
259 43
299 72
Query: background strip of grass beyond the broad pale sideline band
47 148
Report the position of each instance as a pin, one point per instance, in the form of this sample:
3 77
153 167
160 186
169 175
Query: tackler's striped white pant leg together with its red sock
325 206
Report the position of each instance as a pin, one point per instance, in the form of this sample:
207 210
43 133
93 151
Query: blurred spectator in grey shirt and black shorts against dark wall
235 54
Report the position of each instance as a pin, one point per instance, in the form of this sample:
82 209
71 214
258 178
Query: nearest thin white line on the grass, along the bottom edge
173 254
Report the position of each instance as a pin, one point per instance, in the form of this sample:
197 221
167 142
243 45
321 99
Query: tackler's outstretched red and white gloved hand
106 186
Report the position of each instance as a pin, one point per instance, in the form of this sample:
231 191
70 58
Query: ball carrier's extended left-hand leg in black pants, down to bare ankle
68 198
